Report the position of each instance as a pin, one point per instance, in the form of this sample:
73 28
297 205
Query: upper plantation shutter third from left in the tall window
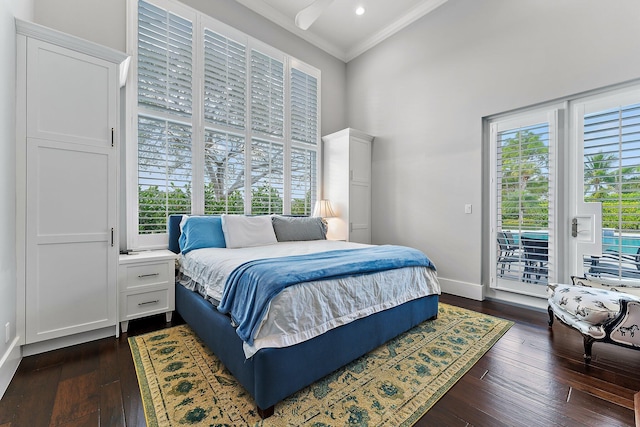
267 95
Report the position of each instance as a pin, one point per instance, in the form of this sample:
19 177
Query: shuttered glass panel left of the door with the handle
523 199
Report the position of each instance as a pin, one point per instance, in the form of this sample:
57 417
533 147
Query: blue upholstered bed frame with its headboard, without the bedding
275 373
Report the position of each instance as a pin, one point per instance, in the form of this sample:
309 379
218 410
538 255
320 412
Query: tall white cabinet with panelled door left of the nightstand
67 166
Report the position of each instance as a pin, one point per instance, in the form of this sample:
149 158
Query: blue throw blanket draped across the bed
251 286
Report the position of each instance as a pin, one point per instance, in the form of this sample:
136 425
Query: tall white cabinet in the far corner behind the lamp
347 184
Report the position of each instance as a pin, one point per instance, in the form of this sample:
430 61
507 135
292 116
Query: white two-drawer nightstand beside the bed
146 284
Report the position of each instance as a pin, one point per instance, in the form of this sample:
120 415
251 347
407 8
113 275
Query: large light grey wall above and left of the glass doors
423 94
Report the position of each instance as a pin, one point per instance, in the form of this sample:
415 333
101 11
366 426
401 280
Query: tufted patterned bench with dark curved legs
601 310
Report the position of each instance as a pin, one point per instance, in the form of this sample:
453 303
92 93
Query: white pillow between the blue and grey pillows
242 231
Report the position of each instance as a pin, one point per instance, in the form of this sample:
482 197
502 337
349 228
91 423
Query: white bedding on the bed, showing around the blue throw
304 311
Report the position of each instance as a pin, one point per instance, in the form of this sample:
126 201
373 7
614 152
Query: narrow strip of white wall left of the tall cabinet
9 351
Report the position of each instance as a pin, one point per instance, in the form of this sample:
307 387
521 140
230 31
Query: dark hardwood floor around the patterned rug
531 377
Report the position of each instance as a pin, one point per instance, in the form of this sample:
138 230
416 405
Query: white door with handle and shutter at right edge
605 186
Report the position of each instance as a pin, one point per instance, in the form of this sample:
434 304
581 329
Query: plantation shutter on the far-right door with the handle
611 139
